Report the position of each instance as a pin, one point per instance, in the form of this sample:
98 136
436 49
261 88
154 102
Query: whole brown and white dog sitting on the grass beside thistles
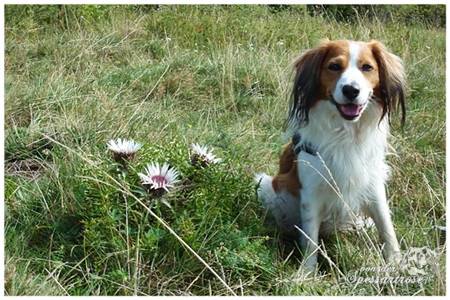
334 169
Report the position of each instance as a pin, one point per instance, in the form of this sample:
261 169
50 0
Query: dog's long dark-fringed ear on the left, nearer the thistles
307 82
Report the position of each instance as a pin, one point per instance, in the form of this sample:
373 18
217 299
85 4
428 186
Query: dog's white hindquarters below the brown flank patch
282 206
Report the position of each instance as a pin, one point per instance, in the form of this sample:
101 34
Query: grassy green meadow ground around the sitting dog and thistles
170 76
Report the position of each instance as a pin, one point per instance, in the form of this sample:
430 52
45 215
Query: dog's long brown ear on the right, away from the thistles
392 80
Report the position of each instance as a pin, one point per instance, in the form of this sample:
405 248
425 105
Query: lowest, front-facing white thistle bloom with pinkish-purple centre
157 178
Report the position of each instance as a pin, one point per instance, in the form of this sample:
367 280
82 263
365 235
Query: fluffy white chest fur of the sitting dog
349 165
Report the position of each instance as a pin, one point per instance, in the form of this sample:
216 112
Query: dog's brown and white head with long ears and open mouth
349 75
